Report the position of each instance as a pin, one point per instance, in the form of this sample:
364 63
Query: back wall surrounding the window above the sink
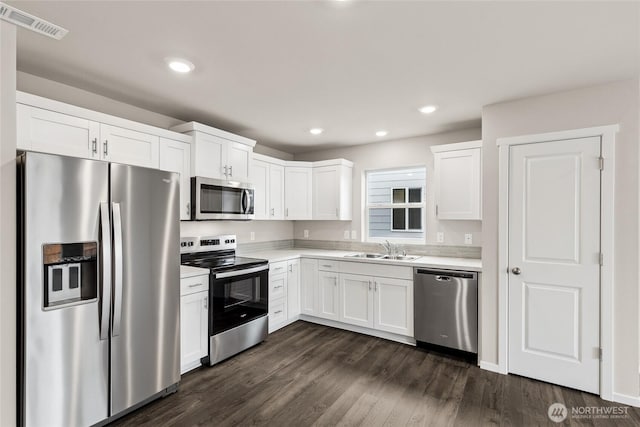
388 154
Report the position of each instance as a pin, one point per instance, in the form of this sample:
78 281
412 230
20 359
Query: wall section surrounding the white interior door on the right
614 103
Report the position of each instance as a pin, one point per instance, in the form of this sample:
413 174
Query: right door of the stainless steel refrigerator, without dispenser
145 352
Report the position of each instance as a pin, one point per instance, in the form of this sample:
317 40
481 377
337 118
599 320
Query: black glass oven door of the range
238 297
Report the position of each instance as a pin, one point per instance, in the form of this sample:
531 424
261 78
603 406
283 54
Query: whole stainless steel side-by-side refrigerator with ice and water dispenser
99 272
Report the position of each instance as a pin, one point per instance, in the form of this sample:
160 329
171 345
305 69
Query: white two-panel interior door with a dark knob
554 262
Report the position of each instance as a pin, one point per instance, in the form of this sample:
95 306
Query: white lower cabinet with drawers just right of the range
284 293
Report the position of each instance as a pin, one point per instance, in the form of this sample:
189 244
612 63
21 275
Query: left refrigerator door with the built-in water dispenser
64 377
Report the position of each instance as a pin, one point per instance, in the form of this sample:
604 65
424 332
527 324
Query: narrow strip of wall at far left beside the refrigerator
7 224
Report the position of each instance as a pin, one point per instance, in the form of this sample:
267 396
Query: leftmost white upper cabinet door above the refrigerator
50 132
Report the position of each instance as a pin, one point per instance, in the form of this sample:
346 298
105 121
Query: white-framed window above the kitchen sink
395 202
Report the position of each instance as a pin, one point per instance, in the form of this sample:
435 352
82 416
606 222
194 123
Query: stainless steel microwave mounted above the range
217 199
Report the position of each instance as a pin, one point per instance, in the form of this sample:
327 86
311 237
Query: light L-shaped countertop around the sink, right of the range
276 255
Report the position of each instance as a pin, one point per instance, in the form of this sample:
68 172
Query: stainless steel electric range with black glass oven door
238 294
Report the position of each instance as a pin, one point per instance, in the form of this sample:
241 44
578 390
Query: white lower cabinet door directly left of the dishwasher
393 305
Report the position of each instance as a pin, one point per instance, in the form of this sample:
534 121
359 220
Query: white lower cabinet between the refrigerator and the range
194 333
